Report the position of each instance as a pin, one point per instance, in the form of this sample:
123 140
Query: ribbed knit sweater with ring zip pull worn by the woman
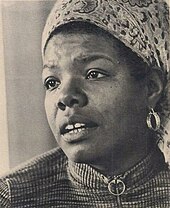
51 180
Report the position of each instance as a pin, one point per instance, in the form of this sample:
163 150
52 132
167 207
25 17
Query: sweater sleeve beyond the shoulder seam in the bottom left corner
4 194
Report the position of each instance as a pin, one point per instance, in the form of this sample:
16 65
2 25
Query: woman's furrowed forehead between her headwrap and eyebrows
80 46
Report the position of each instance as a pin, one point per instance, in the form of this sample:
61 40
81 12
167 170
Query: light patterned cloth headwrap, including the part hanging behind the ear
142 25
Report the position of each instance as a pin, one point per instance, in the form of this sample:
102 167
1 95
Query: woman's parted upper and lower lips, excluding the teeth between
81 135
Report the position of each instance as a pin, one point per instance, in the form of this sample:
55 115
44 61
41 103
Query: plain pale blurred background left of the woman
24 129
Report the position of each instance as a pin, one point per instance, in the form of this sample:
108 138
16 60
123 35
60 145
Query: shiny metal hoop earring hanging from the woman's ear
153 120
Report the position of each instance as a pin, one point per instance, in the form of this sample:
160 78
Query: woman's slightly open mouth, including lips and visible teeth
77 130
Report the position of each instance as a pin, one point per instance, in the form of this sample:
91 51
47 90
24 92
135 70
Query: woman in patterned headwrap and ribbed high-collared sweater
105 71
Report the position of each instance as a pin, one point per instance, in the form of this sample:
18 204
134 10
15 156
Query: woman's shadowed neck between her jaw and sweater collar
124 157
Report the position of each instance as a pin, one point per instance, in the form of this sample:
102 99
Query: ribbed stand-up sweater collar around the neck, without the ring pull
86 176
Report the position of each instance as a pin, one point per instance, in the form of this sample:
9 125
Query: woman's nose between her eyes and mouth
71 96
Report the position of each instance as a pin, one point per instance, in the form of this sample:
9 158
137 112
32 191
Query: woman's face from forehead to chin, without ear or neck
94 106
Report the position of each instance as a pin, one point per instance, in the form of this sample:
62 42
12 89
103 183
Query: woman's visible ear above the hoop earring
155 87
